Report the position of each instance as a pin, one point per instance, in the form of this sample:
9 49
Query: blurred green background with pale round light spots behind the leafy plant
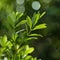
48 47
